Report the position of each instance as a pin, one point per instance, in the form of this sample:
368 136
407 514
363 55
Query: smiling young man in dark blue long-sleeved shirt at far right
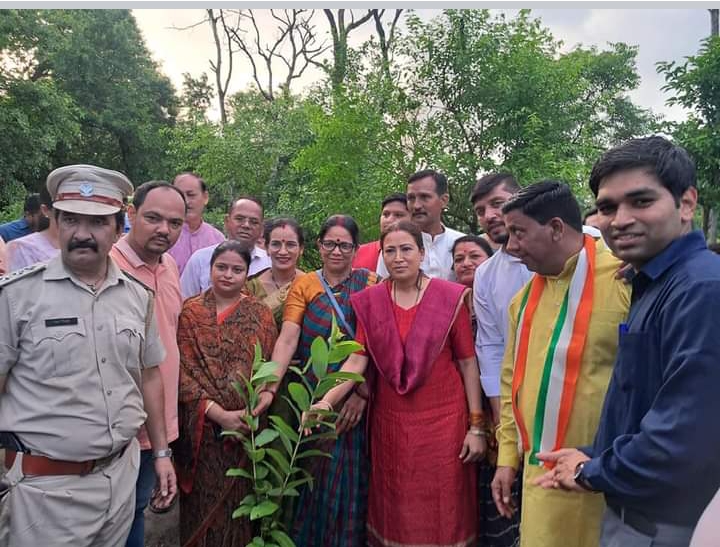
656 455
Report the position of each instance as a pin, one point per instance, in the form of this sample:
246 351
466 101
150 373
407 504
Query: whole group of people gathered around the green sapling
550 382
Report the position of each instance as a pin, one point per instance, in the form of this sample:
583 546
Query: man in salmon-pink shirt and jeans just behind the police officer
157 214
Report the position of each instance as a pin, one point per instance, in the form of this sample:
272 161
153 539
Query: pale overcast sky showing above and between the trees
661 34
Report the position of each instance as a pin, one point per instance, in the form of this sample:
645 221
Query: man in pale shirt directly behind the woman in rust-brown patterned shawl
244 223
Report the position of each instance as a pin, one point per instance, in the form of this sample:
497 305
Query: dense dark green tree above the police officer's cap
80 86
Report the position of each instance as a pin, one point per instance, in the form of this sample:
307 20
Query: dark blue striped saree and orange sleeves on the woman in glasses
333 514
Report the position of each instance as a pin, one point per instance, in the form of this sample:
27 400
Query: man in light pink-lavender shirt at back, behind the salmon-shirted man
196 234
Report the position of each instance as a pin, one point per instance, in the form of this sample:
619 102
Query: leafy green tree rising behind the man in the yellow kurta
498 92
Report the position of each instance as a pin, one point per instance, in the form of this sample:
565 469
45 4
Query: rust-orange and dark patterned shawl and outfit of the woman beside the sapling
211 357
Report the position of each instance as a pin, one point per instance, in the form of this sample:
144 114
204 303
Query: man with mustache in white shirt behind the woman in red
427 194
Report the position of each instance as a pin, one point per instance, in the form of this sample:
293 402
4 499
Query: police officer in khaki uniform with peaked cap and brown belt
78 377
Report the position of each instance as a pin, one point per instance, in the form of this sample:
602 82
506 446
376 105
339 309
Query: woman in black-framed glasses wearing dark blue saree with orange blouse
334 512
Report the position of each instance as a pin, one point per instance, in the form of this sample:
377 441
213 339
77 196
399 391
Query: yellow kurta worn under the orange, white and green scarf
552 518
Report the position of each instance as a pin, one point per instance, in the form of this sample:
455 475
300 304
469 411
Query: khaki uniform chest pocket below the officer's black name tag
59 348
